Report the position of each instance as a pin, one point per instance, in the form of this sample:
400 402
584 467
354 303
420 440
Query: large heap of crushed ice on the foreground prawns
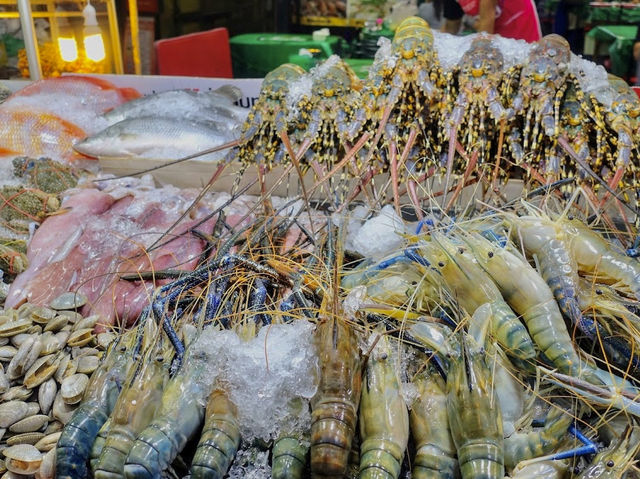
265 376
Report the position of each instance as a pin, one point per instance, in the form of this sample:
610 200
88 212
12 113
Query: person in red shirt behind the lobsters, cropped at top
509 18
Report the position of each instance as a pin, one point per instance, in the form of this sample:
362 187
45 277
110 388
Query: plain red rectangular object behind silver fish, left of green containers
202 54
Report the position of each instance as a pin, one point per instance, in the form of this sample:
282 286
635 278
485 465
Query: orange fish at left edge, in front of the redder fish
34 134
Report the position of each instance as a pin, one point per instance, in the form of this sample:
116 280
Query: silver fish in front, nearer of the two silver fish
158 138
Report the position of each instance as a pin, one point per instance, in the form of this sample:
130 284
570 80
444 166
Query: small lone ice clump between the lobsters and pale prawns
380 235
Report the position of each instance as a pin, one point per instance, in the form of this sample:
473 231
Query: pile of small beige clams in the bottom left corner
46 357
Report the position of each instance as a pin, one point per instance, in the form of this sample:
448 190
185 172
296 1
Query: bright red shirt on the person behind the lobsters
514 18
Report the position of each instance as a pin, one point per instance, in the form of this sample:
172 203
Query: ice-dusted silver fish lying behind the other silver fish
183 104
